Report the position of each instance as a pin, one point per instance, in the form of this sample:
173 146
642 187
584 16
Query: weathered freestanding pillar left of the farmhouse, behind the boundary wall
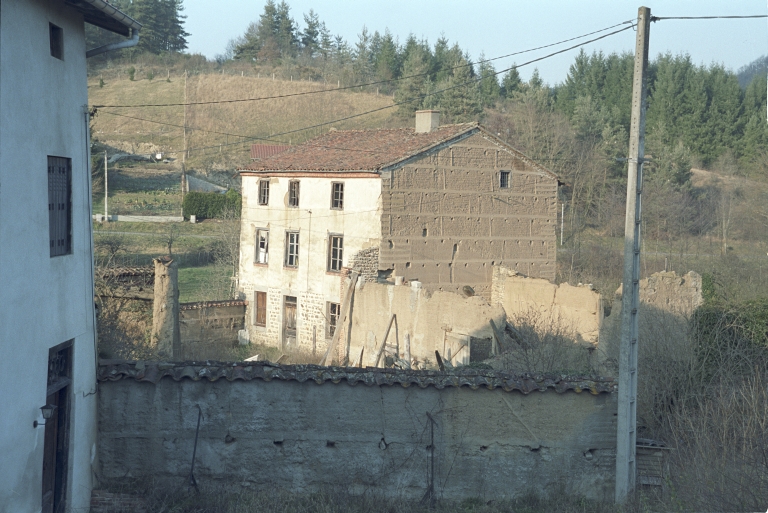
165 311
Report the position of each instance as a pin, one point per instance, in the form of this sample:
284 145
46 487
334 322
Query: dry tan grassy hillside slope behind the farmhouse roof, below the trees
214 130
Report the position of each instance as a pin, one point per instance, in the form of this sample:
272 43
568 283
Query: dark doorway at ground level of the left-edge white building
56 444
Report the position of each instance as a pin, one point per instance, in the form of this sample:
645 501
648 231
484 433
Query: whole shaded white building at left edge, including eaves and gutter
47 323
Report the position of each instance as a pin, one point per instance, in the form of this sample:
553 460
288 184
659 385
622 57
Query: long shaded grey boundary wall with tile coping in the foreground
306 428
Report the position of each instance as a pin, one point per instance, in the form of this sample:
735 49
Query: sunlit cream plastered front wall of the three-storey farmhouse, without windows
311 283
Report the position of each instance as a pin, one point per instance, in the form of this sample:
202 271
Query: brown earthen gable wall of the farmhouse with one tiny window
447 223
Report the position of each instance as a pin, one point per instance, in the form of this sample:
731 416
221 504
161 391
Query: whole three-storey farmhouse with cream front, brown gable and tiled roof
438 205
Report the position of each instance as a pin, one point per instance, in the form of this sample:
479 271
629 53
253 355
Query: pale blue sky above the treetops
499 27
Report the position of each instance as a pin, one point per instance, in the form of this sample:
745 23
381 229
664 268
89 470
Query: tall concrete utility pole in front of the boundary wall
626 436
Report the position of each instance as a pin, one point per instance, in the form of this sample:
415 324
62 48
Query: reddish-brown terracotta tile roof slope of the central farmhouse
358 150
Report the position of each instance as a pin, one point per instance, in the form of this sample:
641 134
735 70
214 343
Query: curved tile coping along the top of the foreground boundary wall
153 372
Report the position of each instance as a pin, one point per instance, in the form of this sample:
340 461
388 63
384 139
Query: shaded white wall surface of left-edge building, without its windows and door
45 301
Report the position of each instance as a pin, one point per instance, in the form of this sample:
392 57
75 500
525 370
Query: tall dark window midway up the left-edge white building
60 205
